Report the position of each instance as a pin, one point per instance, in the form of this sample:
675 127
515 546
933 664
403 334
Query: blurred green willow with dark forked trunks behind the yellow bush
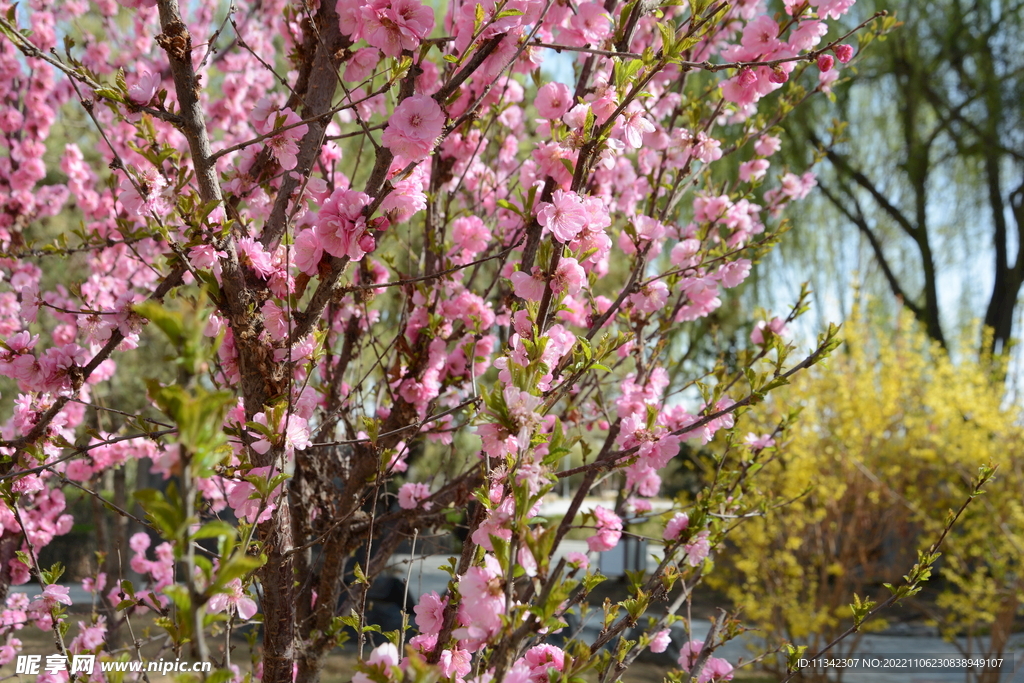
928 177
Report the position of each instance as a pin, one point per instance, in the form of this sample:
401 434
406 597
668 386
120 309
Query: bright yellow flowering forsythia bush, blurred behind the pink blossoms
888 440
